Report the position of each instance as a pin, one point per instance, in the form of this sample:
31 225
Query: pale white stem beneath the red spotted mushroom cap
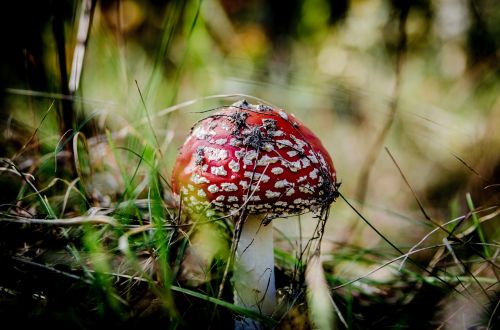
254 284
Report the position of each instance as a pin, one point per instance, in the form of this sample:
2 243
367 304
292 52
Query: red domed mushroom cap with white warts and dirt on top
256 157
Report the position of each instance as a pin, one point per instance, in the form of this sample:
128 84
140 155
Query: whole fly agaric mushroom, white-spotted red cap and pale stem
255 163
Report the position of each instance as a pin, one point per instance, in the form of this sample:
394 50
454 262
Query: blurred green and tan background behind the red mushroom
405 95
